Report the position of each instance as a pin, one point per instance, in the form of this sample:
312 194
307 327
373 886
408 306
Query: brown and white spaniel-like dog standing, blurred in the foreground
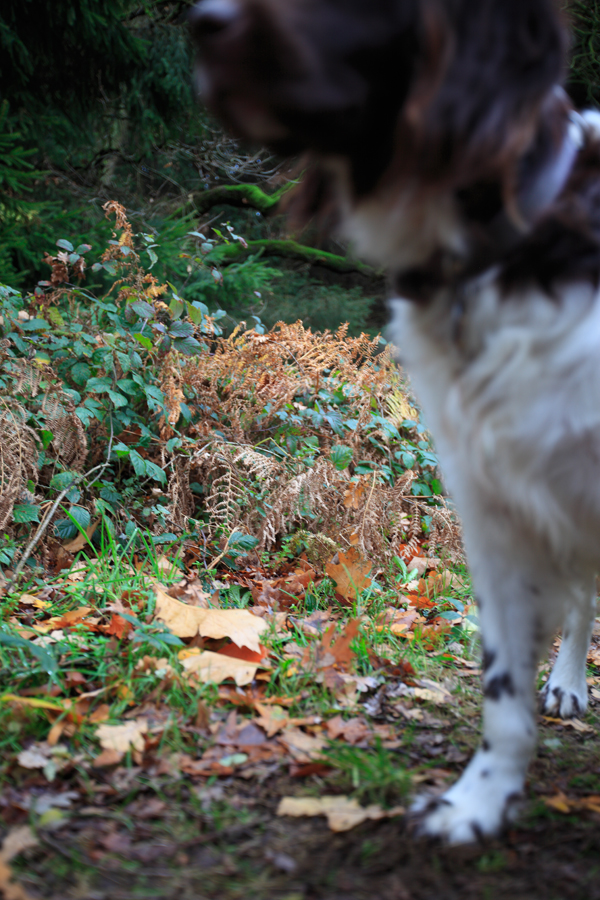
442 145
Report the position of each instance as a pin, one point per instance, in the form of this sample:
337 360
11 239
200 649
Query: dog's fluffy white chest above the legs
510 388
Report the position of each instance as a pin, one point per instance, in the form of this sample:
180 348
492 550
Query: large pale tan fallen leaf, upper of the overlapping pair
239 625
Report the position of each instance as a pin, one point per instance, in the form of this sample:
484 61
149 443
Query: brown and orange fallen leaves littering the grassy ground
263 667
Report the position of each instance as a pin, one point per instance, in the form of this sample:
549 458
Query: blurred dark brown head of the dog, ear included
432 90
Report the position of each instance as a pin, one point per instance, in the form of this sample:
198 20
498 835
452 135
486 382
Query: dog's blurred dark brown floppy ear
486 68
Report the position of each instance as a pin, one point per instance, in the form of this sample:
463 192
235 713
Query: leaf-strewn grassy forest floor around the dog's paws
183 797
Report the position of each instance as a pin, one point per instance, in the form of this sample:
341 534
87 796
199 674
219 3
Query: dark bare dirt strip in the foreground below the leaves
175 840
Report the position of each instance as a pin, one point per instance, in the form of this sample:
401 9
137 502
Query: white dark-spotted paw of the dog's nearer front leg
478 806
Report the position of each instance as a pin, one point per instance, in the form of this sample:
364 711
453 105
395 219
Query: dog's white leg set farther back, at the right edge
565 692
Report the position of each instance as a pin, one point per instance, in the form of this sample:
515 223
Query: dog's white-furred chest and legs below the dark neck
510 388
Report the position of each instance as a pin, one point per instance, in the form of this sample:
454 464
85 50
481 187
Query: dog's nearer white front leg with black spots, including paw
521 601
